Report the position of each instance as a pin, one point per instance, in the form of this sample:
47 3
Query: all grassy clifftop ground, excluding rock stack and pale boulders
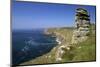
83 51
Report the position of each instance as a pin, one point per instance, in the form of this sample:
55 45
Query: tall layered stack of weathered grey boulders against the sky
82 25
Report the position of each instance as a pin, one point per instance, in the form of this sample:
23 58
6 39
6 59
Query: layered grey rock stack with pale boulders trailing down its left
80 34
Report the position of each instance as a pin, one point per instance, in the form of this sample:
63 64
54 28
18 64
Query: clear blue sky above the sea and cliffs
32 15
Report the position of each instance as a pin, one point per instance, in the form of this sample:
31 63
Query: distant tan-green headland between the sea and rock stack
64 32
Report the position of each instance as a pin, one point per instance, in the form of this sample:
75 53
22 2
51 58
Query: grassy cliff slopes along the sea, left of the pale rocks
50 56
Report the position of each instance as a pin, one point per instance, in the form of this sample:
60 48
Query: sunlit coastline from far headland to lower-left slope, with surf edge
62 41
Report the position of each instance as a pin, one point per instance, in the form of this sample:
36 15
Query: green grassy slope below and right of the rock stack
84 51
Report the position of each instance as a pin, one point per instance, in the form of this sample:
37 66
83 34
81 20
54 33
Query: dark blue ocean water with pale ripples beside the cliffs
29 44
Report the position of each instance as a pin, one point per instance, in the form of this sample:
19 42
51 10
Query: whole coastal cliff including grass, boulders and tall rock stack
74 43
